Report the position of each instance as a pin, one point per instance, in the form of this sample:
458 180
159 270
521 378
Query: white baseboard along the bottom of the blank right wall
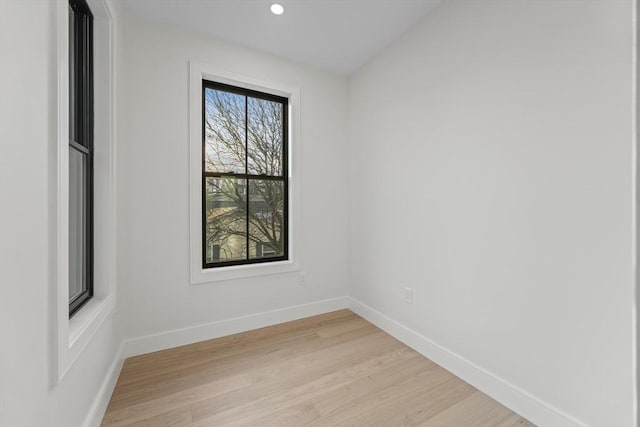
520 401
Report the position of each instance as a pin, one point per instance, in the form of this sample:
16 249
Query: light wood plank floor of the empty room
330 370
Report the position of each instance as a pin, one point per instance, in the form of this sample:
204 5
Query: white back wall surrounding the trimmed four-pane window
153 188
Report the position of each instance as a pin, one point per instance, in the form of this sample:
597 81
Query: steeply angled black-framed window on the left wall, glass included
80 155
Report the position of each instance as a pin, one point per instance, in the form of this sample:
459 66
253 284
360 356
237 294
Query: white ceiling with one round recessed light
335 35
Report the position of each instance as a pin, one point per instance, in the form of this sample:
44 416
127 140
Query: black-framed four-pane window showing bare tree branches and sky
244 176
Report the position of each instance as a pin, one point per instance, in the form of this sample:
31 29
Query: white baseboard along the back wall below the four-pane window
193 334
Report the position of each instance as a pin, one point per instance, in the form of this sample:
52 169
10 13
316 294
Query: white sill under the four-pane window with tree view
242 271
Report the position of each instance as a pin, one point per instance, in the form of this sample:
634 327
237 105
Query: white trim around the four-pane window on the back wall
197 72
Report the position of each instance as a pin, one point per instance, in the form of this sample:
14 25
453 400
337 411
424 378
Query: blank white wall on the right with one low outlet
491 170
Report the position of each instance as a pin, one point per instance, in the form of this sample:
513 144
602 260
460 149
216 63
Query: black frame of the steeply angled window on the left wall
81 126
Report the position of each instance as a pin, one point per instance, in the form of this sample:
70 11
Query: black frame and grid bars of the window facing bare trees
210 84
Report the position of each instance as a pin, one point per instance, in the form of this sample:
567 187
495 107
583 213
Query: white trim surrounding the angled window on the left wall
71 336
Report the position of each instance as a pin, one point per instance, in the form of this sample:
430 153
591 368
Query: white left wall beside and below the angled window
27 137
